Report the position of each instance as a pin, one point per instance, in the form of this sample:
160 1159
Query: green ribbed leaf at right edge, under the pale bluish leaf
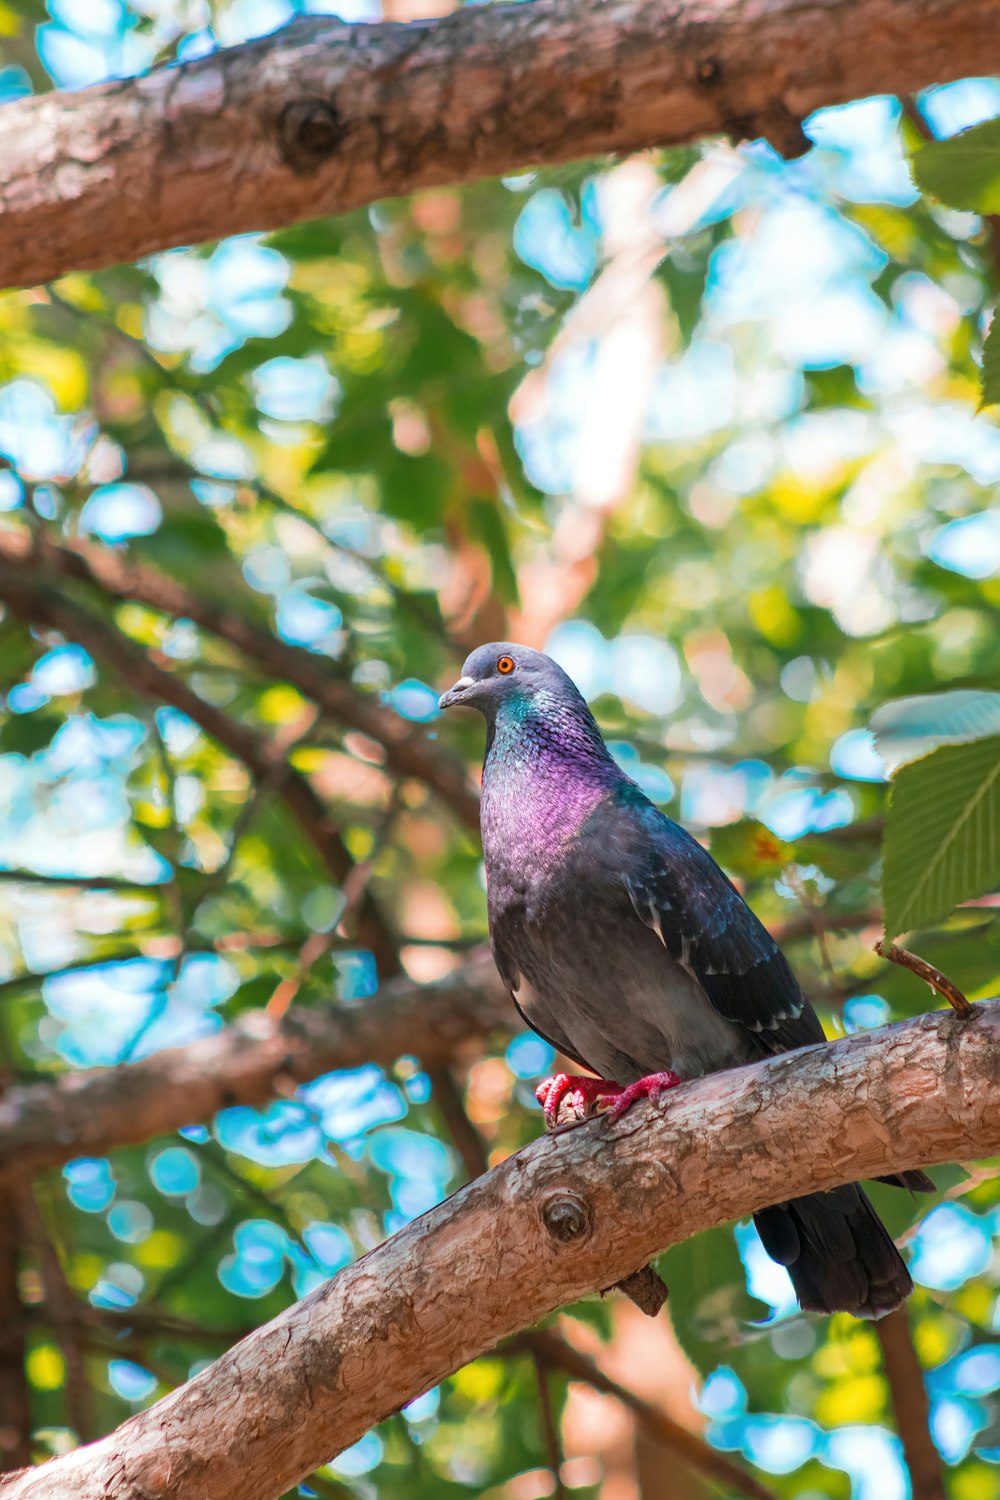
942 842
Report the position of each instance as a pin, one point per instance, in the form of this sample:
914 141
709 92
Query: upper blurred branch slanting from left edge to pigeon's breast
409 752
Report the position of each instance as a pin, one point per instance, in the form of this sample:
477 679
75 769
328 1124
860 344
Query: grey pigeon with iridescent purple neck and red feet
624 946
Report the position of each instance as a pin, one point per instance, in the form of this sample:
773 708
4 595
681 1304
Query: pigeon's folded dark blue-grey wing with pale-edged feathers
702 920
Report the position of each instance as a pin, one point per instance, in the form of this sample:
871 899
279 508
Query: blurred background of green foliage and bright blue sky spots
704 425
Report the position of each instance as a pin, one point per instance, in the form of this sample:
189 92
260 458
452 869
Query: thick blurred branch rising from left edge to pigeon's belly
256 1058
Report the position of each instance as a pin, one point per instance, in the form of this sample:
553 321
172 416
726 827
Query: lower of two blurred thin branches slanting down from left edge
106 643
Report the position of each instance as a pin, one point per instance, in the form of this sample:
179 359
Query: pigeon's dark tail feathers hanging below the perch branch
837 1252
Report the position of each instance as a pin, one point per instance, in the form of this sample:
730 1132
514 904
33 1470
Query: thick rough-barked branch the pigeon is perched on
567 1216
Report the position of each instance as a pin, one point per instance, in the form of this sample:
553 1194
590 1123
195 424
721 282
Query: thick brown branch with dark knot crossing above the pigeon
326 118
